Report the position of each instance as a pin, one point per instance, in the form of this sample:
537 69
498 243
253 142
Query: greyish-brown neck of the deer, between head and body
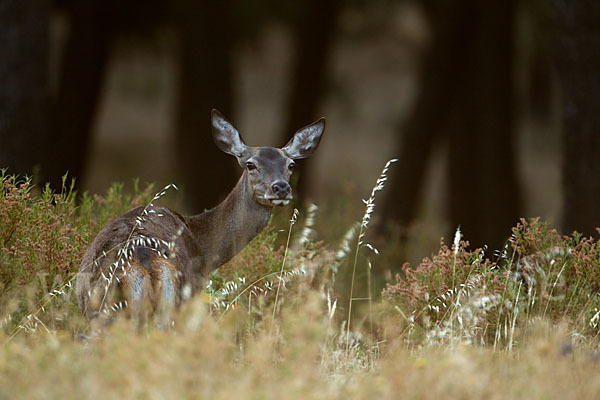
223 231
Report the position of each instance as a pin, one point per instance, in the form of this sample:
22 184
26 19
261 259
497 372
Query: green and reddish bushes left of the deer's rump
43 236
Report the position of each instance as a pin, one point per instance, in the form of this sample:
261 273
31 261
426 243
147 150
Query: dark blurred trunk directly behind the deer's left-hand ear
206 74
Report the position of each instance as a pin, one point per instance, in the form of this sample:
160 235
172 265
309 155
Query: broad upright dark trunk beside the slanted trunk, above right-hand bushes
484 195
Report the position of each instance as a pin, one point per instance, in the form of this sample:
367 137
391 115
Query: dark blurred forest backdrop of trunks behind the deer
492 107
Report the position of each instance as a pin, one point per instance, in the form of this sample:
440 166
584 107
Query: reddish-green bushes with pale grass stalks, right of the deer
464 295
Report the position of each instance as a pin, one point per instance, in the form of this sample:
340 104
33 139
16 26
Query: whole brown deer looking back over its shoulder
149 259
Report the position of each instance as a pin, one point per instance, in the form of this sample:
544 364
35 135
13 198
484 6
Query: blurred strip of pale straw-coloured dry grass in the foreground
203 358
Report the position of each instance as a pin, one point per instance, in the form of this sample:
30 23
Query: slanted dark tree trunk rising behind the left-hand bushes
82 72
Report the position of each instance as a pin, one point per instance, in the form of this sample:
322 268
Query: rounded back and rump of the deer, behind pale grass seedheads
140 261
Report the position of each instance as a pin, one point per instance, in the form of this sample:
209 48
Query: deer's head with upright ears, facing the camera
268 169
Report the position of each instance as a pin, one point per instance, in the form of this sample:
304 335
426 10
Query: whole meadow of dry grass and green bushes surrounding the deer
296 315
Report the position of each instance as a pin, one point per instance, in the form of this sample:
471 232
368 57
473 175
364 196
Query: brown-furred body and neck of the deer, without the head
200 244
